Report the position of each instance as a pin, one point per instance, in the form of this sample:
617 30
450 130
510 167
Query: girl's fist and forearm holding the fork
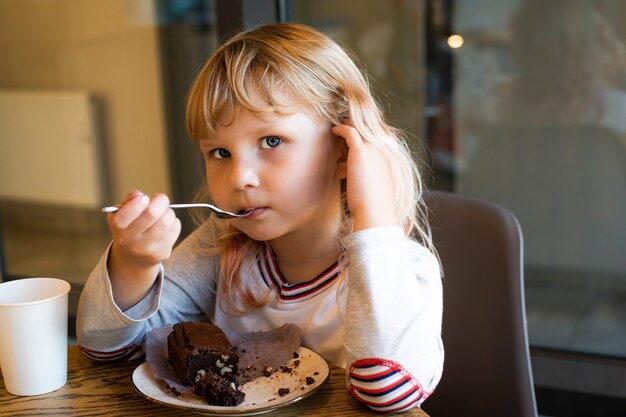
144 233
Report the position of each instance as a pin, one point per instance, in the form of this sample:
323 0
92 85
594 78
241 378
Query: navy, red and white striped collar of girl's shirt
293 293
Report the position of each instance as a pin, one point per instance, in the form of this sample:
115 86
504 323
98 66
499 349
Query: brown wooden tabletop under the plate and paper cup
104 389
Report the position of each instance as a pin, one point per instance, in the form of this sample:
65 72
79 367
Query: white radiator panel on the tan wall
49 148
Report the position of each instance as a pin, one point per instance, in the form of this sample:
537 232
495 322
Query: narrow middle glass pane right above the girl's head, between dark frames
387 40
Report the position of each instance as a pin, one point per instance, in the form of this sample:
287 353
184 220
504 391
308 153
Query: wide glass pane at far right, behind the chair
539 99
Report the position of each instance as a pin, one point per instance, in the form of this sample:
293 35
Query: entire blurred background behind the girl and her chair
522 102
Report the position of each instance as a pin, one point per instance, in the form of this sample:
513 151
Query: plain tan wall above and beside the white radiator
107 48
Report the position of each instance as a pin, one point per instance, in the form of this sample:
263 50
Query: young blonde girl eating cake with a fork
289 130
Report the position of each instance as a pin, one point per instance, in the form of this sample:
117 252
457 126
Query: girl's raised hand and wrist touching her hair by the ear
370 187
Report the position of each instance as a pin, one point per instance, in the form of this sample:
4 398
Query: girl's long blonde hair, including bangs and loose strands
265 70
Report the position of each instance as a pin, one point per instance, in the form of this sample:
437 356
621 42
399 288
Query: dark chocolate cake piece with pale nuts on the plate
203 358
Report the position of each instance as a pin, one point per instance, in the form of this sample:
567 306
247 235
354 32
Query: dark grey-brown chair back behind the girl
487 365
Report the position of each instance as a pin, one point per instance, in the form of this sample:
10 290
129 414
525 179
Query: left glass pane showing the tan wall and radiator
89 102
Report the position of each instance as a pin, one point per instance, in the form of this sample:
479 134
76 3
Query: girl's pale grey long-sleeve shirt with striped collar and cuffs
378 311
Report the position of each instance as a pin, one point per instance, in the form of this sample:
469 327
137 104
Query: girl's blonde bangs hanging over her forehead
260 80
